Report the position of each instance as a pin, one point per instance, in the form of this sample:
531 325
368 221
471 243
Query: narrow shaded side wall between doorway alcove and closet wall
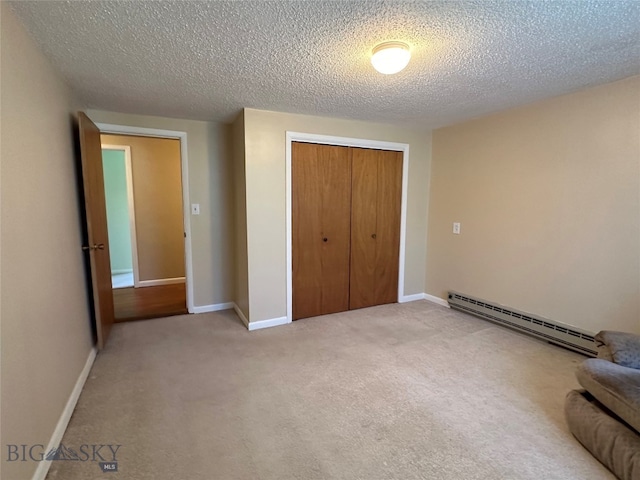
241 297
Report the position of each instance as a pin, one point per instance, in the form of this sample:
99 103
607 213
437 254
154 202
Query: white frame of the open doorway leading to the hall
108 128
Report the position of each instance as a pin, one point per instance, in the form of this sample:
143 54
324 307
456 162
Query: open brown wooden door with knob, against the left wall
96 213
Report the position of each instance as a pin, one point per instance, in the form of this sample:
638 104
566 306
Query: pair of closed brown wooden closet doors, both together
346 205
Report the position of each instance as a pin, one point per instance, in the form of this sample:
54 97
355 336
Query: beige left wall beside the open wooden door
46 333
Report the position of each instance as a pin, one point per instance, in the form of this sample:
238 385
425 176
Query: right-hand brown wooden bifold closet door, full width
376 196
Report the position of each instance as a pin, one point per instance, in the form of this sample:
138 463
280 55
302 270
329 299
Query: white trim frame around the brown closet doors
344 142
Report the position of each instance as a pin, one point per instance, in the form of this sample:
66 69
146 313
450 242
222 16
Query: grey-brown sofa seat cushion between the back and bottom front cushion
616 387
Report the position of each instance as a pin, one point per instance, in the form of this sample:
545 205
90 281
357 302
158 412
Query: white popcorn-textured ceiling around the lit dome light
207 60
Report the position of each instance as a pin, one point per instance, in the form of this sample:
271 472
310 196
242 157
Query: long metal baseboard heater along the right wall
554 332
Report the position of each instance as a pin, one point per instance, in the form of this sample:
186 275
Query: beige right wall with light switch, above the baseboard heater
548 197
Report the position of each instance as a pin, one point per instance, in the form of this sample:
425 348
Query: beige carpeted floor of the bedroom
412 391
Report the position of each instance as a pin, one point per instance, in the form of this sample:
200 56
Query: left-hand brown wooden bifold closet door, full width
321 217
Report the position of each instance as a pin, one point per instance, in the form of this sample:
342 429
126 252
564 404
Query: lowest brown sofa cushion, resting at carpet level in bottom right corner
612 442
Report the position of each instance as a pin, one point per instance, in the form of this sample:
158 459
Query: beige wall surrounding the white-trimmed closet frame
265 196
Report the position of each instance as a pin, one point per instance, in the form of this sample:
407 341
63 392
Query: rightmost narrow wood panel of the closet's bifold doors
388 206
